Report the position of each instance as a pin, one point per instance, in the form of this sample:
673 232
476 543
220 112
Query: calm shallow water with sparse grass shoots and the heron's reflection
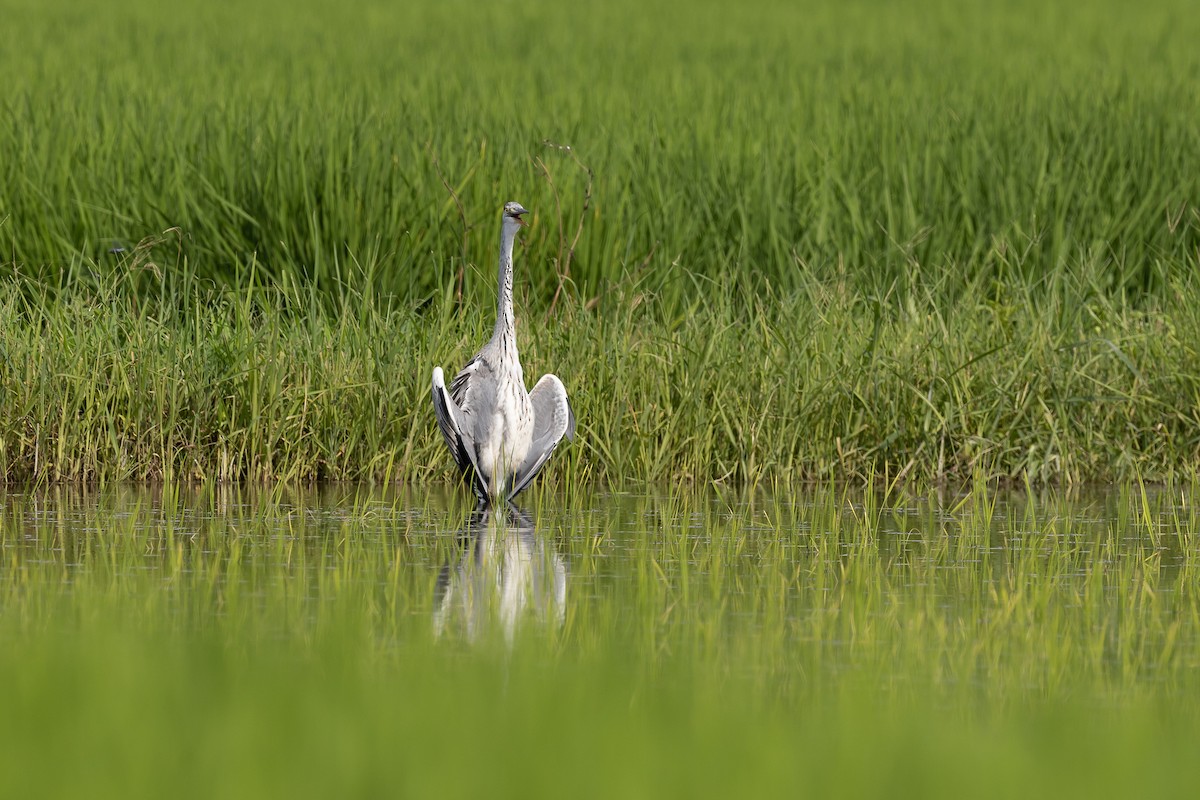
819 566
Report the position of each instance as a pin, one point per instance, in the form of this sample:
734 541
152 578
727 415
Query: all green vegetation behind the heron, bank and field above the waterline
791 240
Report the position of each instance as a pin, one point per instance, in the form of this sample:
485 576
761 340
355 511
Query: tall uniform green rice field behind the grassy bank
962 146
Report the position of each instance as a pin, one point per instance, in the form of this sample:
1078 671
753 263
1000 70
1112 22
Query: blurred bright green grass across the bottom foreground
123 717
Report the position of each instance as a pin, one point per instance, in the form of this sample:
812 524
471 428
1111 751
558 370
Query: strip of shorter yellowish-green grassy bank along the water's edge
195 383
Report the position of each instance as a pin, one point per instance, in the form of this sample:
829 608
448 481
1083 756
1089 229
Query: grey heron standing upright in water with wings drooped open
500 435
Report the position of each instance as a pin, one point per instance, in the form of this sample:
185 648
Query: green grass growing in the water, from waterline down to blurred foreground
231 642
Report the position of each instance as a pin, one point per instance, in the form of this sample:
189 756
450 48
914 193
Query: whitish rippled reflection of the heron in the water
506 570
